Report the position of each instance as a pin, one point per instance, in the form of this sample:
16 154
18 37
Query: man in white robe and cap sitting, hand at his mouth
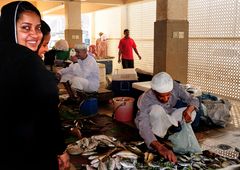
83 73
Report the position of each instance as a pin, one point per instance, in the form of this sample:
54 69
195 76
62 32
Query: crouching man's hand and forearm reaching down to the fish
163 151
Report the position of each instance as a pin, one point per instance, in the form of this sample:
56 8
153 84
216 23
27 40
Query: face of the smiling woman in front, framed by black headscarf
29 30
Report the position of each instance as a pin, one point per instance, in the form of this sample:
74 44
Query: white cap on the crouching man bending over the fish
162 82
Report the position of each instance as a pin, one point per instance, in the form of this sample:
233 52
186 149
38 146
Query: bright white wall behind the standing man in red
139 18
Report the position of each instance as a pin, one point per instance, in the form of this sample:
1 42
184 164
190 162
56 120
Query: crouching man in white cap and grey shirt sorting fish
163 106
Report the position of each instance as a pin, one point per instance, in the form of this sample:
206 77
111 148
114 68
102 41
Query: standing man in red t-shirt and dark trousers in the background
125 54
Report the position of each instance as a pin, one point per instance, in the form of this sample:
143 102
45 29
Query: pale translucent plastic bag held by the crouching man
185 141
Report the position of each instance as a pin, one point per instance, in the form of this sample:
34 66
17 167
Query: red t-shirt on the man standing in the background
125 46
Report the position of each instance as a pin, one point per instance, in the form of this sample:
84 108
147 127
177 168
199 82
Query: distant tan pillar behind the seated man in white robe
73 32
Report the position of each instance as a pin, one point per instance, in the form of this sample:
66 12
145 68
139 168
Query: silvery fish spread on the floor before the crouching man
119 156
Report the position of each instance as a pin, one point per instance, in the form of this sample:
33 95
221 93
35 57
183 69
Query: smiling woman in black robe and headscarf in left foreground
31 129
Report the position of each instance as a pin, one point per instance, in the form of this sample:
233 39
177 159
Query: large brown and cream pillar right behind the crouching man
171 38
